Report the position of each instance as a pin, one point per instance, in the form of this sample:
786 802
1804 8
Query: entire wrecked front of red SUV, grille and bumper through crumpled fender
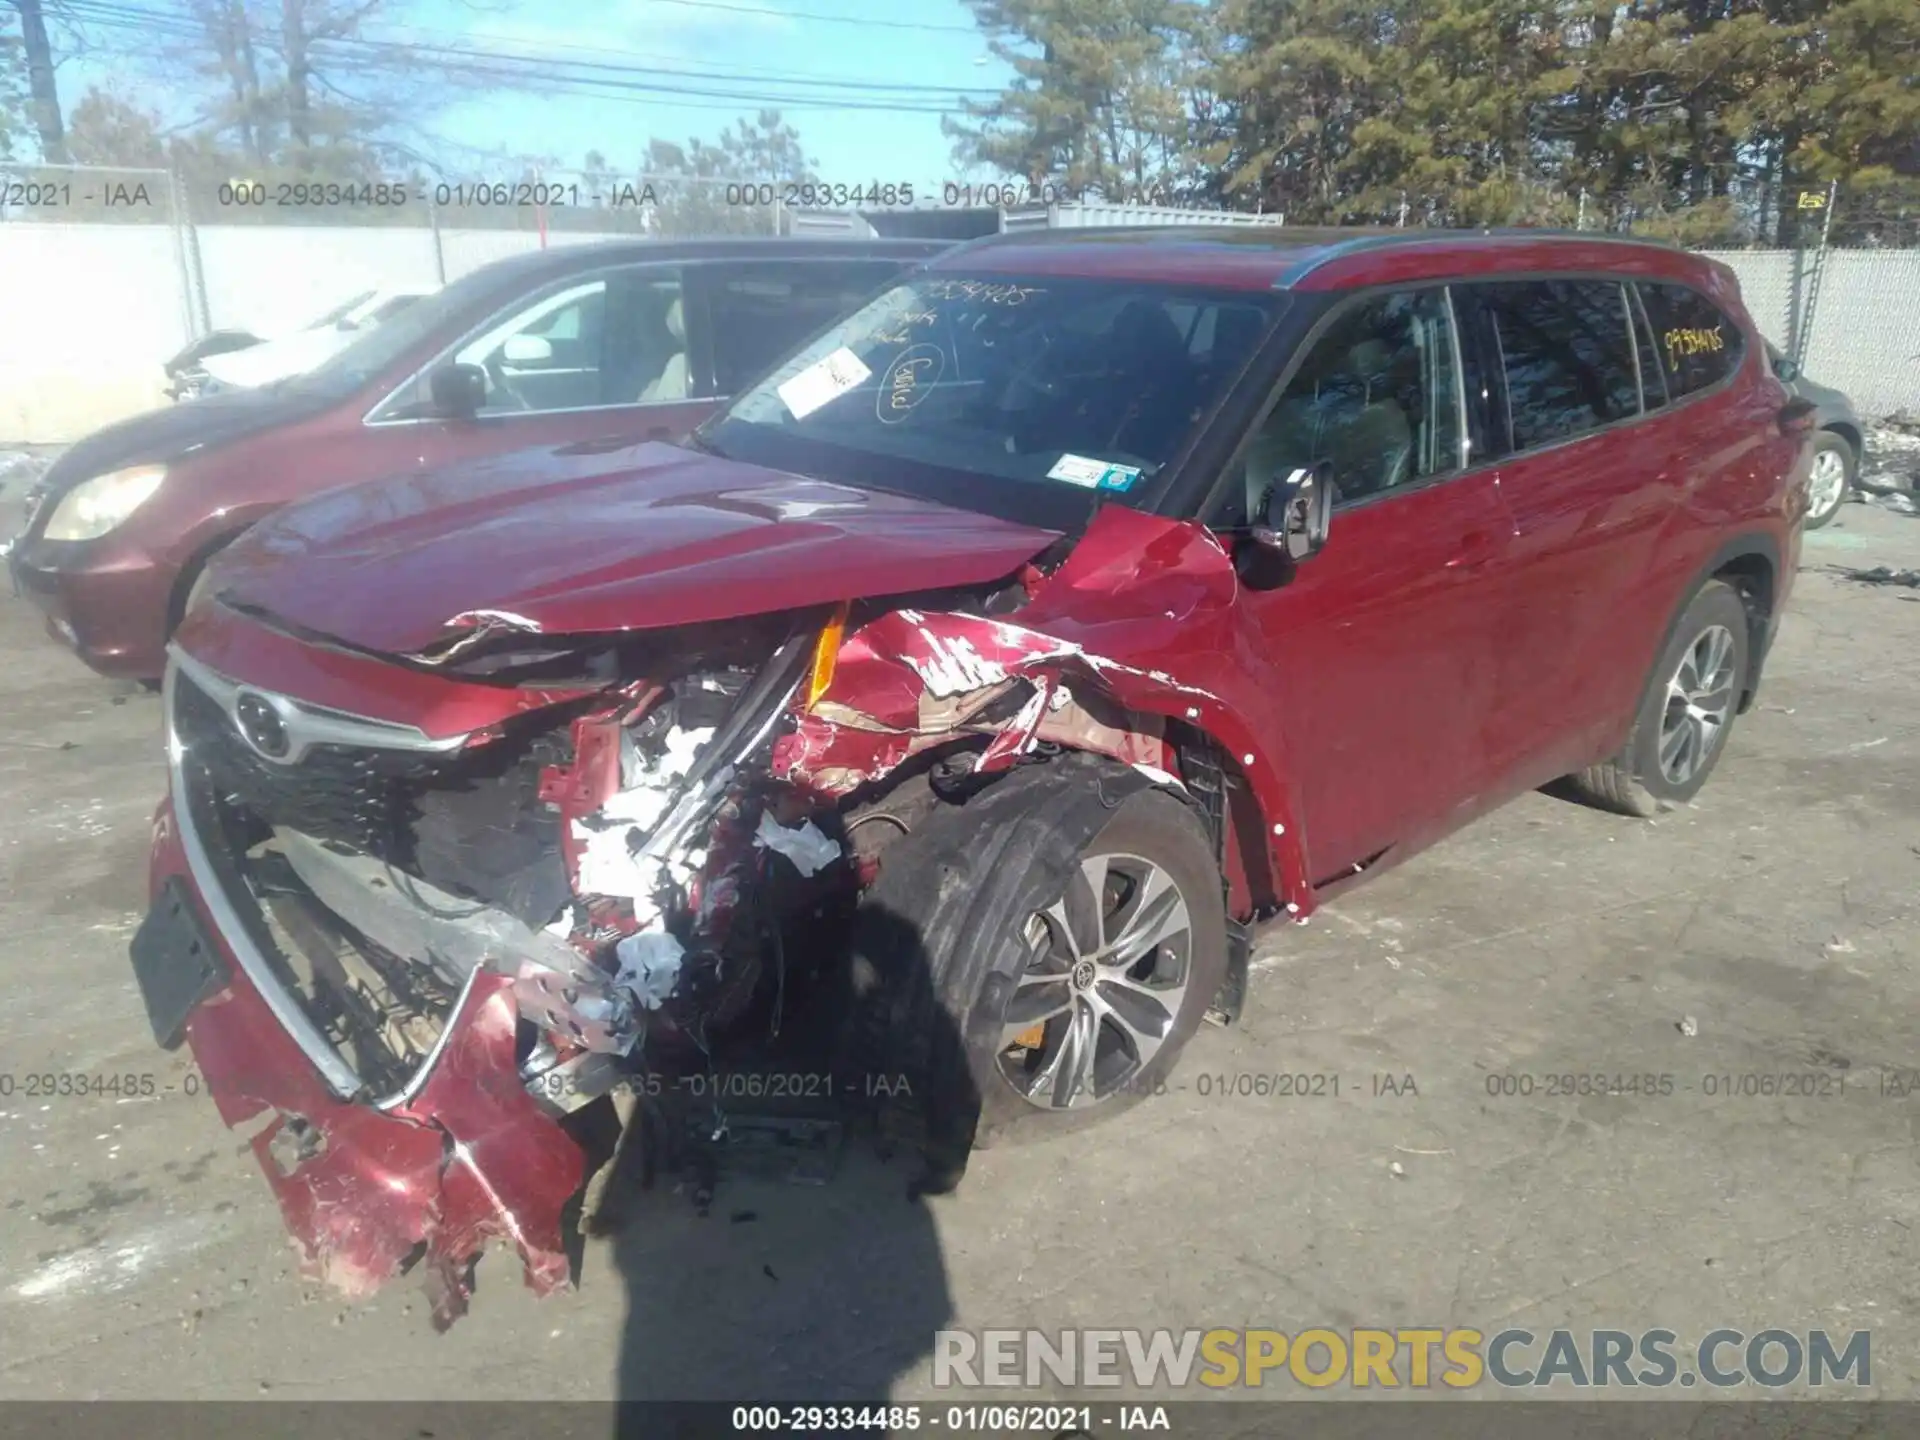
592 859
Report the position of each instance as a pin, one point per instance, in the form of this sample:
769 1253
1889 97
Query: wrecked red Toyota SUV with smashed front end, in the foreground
974 684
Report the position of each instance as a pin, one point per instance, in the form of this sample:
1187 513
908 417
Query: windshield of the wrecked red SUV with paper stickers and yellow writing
1003 395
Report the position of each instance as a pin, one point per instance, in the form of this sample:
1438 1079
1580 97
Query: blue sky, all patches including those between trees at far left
857 49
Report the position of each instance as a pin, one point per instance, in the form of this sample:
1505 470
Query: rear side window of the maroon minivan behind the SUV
763 312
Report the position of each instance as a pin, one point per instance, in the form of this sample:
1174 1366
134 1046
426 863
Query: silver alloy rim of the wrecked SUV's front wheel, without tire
1107 972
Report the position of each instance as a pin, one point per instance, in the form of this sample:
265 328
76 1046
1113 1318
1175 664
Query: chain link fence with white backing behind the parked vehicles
128 266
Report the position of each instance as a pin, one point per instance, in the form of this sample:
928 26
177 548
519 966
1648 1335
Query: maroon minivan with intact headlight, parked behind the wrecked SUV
594 343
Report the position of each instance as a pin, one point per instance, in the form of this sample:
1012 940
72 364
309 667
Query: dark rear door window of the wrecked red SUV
1568 356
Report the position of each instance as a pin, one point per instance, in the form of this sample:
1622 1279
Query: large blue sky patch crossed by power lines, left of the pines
756 41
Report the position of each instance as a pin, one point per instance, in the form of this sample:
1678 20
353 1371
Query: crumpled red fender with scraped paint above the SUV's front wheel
1136 629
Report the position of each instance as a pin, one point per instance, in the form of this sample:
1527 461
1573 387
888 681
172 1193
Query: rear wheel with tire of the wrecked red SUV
1687 713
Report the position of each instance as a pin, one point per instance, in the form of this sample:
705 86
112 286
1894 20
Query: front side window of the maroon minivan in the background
600 341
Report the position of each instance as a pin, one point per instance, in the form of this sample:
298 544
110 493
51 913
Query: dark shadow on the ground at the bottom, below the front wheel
788 1291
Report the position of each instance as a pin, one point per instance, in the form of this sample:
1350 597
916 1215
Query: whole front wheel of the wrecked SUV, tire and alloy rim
1047 953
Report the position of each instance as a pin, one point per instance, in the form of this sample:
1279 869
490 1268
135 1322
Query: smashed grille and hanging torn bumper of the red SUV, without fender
446 946
